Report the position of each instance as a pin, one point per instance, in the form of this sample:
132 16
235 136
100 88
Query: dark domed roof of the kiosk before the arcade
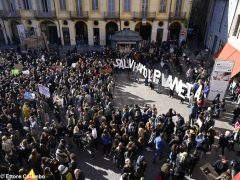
126 36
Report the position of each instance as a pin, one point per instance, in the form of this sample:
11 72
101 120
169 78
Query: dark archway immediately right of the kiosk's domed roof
145 30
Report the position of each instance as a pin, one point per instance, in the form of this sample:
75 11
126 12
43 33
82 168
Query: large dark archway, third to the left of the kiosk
50 30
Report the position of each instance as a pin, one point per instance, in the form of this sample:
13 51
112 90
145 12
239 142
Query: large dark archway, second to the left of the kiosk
81 33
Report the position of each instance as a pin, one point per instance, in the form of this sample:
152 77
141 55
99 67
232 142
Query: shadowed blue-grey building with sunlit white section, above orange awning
223 24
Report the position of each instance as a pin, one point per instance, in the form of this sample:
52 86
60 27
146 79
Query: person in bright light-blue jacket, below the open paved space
159 145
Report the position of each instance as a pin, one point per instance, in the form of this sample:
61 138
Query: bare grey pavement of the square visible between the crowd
129 92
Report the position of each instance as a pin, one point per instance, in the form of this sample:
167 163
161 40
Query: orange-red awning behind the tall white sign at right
229 53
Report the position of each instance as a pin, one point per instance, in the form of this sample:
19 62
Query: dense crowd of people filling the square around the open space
41 132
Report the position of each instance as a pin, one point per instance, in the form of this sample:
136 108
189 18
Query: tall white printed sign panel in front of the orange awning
220 77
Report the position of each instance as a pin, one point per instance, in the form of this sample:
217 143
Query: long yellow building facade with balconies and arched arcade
72 22
